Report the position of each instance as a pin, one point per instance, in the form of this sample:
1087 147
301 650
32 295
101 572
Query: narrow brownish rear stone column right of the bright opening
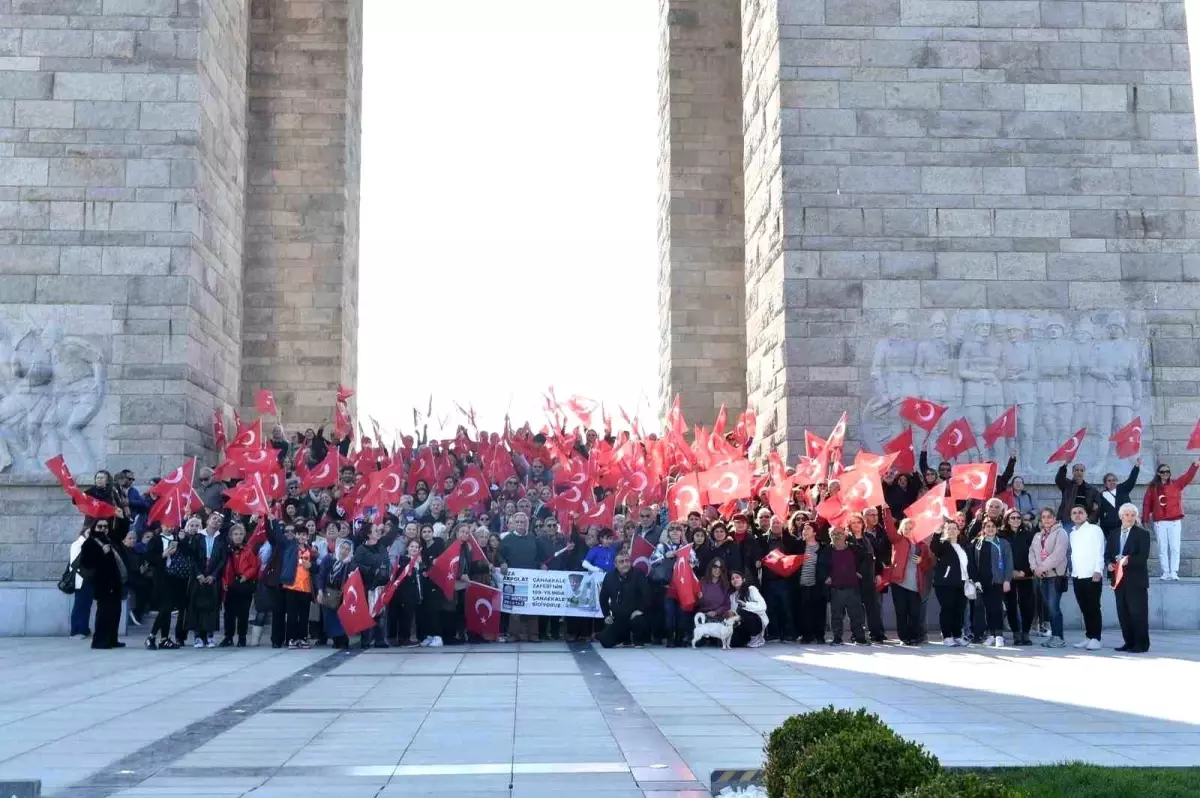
701 279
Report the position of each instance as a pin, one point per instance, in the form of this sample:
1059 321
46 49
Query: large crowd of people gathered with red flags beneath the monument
999 569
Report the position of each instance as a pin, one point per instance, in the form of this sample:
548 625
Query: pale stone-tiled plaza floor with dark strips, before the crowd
539 721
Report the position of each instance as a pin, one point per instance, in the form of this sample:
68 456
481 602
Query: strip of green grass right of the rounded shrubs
1094 782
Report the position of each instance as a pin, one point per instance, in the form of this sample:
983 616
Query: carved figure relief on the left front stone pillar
52 387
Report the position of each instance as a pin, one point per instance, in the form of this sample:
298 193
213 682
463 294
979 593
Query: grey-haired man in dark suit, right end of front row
1126 553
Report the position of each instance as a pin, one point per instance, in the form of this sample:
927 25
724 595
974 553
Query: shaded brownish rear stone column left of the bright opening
302 224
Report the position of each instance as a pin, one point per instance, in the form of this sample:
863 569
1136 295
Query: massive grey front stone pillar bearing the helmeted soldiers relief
995 202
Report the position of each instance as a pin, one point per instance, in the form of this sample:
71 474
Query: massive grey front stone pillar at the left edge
122 195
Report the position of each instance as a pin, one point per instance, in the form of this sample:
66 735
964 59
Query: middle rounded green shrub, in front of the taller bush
861 764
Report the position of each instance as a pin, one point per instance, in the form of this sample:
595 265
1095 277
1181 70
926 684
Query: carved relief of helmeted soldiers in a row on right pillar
1089 371
